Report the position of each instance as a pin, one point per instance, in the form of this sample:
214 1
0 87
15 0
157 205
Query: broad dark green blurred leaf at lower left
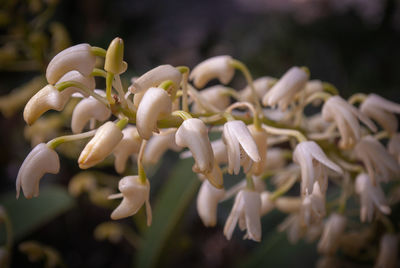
27 215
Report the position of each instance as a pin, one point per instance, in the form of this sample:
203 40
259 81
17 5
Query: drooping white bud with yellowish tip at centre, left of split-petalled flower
193 134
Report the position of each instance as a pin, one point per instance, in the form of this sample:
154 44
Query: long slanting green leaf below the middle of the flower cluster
172 202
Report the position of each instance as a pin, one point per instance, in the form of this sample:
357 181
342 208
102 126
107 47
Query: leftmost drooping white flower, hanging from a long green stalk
40 160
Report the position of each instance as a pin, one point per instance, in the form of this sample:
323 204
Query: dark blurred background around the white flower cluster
353 44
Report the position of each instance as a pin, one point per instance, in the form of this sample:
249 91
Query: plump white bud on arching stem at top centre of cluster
216 67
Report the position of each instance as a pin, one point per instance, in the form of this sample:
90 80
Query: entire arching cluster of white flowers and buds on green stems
264 134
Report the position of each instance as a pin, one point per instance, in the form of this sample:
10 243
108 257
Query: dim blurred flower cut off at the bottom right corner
388 251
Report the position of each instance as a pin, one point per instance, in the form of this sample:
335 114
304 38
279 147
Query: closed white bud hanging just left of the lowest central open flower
207 203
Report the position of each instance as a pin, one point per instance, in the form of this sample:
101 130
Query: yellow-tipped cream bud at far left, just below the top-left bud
48 98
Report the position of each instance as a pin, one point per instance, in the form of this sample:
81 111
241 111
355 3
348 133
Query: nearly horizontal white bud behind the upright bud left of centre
155 77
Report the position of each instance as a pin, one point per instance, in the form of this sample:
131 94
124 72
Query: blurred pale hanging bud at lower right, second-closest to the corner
333 230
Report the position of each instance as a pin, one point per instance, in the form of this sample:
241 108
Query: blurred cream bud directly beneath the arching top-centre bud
214 96
